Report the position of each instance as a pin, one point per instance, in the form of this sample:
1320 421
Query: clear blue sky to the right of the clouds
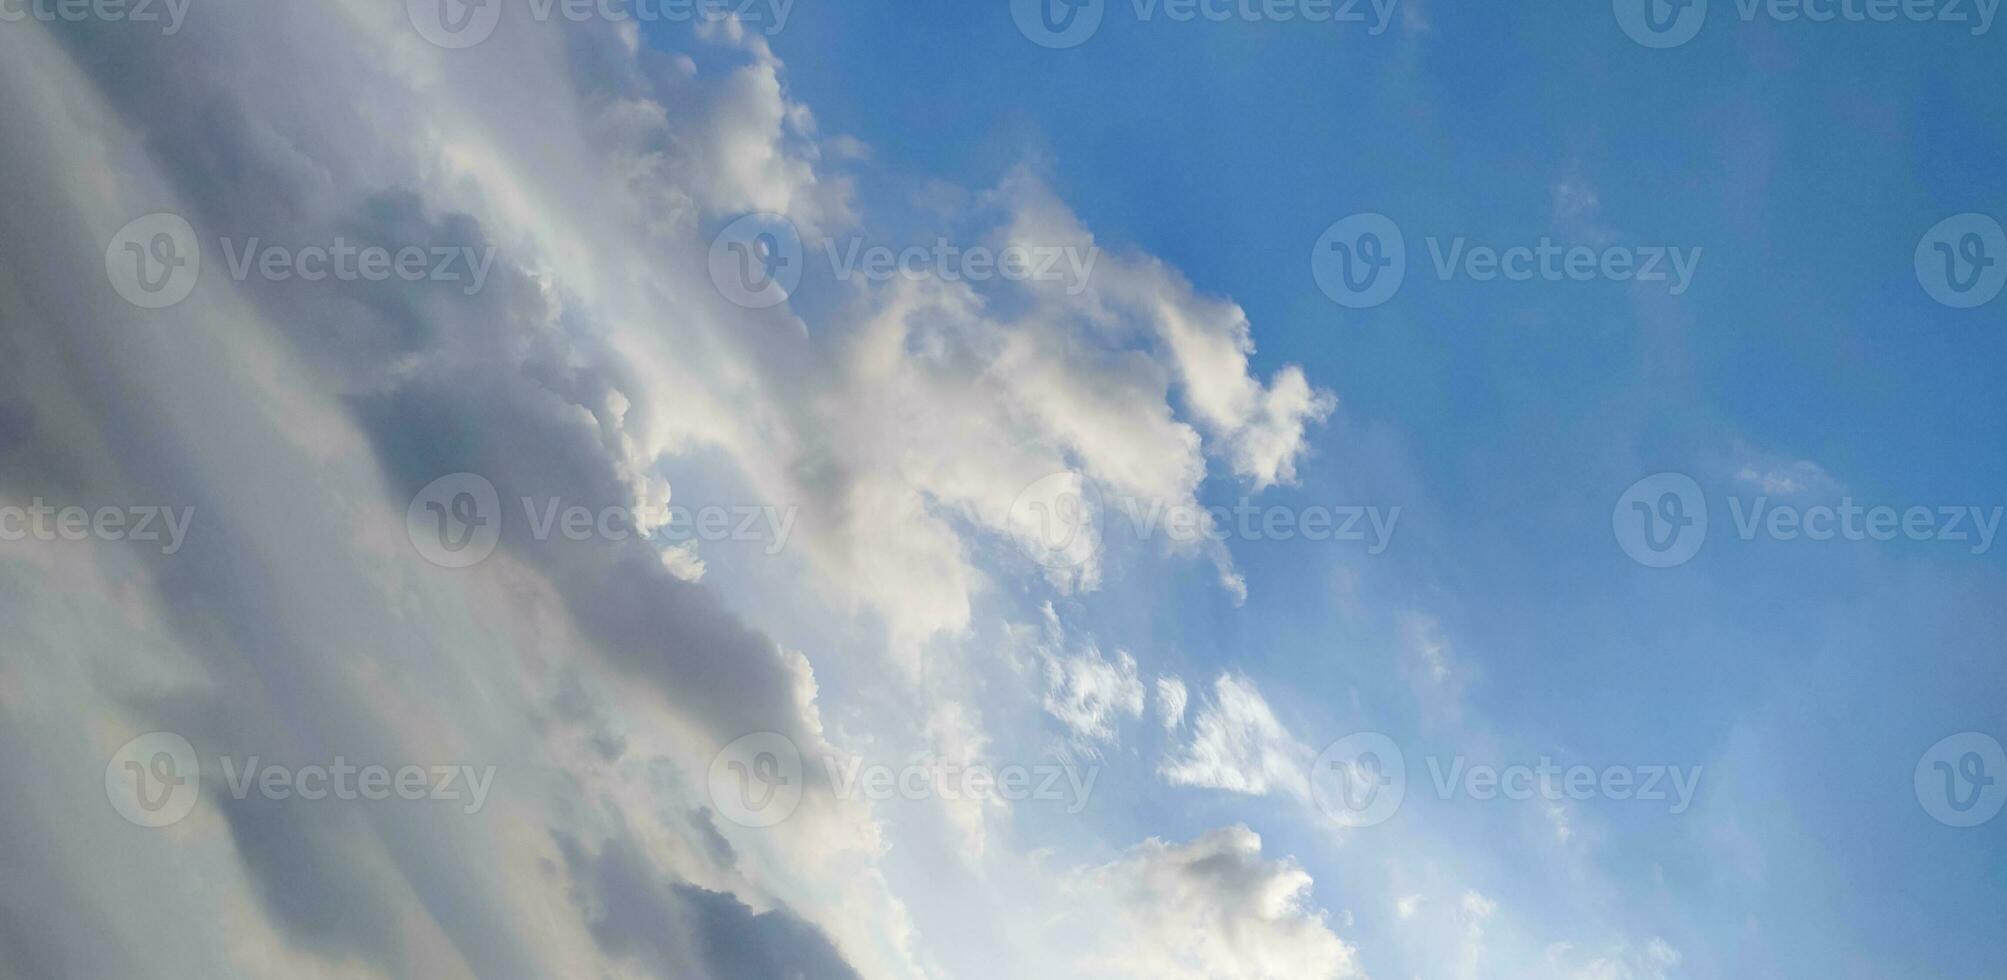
1805 162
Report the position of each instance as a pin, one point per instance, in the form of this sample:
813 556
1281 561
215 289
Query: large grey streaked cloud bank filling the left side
298 624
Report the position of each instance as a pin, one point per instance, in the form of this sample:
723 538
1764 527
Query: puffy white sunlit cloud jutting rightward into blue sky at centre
1023 407
